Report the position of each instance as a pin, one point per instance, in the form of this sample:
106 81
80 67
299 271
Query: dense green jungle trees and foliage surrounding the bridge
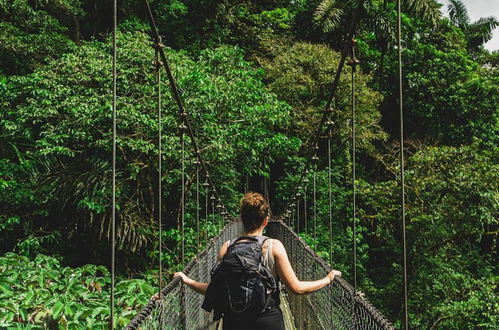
255 76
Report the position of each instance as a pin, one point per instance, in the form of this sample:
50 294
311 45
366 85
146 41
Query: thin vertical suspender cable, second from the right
354 197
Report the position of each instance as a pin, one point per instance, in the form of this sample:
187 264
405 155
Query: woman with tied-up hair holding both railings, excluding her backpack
254 215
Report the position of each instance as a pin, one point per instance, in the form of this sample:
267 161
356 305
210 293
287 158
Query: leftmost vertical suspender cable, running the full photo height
113 216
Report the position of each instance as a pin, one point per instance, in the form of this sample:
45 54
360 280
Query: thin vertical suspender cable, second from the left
160 173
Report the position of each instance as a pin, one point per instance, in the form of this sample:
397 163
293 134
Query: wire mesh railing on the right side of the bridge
336 306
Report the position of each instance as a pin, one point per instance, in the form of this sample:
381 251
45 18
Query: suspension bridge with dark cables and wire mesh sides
339 305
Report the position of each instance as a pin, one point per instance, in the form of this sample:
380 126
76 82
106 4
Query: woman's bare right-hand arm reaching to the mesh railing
288 276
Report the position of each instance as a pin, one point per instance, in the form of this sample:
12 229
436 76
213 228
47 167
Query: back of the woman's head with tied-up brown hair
254 209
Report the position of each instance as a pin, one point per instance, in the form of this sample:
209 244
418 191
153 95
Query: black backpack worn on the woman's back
240 284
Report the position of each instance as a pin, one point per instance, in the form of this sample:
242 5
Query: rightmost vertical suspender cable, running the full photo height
402 183
